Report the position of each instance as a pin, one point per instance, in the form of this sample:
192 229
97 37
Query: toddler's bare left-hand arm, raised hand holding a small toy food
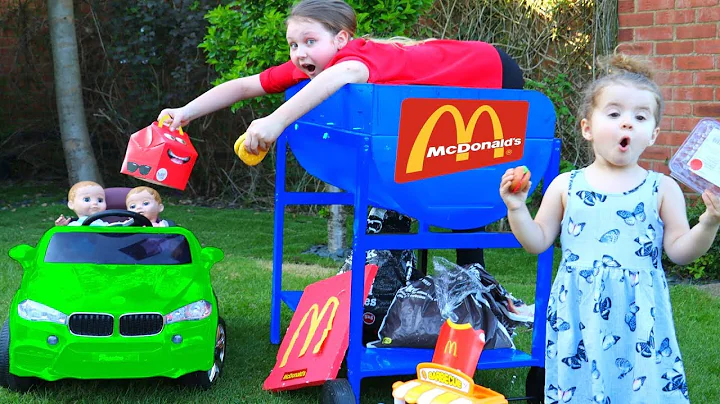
538 234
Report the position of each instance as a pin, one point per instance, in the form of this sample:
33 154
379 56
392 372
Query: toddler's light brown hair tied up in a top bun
622 69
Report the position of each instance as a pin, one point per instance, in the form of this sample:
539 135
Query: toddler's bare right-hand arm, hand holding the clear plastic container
682 244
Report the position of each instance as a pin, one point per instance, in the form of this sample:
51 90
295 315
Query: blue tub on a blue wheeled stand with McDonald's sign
435 154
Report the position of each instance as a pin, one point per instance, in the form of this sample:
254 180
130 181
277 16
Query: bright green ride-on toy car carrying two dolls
113 303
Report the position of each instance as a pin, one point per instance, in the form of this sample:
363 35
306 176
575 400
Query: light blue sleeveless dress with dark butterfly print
610 332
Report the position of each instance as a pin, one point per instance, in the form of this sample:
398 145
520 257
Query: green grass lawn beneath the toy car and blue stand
242 283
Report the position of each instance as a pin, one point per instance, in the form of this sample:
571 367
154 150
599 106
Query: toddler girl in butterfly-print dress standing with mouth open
610 331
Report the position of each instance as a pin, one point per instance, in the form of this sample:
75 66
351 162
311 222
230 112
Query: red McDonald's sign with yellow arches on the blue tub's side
435 139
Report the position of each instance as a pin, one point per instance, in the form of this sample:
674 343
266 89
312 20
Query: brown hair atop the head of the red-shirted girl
334 15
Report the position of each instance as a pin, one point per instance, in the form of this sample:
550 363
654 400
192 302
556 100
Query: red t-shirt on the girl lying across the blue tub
438 62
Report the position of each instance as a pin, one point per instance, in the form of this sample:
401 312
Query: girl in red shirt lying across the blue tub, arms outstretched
322 49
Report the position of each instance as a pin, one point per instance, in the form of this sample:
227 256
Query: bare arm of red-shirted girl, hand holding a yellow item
262 132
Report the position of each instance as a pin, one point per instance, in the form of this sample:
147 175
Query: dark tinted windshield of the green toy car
118 248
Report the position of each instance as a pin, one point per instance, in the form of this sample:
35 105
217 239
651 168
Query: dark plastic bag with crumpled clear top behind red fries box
419 309
